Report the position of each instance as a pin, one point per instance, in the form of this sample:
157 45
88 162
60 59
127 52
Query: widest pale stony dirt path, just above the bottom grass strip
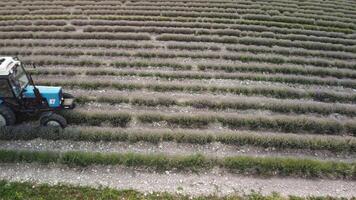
214 182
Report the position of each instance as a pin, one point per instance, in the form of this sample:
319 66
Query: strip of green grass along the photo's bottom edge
32 191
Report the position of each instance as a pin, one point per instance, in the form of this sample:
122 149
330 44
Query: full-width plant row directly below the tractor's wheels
239 138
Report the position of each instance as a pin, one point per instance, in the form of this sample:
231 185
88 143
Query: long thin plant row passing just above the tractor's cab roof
246 57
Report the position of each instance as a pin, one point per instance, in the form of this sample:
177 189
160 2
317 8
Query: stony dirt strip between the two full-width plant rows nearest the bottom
171 148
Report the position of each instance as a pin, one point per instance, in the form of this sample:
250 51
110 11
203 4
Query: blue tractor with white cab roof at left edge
21 98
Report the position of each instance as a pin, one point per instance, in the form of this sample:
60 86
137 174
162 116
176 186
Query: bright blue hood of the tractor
53 95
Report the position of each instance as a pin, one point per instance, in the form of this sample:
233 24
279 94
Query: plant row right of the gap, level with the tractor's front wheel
283 123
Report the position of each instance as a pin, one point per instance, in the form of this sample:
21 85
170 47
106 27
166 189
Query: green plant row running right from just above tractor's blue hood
281 93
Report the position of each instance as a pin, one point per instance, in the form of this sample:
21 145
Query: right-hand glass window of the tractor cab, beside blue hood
18 79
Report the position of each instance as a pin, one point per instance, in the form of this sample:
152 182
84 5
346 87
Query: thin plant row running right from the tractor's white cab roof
247 67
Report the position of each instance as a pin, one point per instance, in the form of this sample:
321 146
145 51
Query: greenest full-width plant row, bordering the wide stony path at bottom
267 166
